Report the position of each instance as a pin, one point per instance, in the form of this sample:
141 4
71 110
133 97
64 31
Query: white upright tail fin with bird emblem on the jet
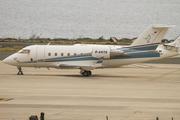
153 34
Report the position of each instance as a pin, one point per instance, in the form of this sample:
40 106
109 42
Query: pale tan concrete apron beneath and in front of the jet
134 92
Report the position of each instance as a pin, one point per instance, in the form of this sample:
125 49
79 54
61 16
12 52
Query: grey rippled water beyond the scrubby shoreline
86 18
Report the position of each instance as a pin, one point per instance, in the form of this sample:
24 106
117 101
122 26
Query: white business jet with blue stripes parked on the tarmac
87 57
